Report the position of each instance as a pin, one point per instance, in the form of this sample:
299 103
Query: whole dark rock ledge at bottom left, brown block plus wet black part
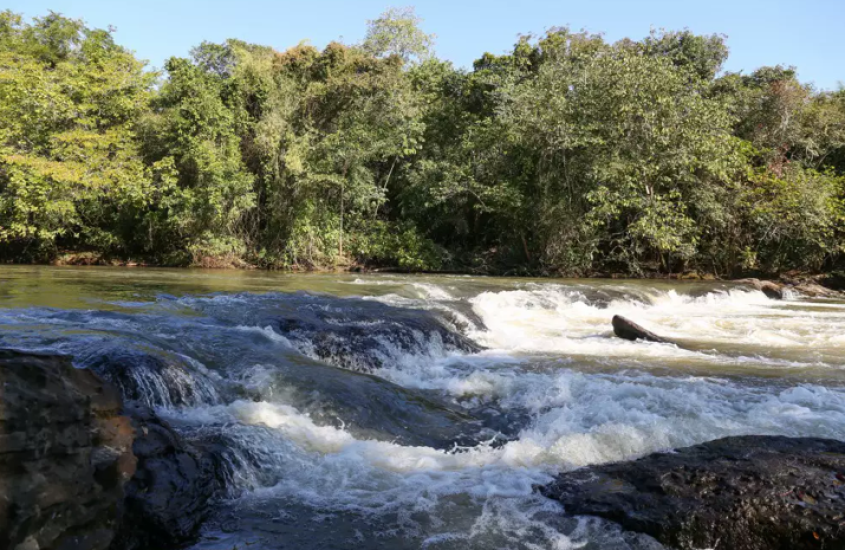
78 471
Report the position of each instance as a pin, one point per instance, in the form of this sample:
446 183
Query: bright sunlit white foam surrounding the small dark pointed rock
561 320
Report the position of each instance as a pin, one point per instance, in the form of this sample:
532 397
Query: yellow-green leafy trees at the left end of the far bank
69 100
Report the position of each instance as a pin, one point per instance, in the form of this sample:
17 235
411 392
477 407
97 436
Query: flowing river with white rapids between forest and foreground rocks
391 411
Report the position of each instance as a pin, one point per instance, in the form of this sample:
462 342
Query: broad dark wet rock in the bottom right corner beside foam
742 493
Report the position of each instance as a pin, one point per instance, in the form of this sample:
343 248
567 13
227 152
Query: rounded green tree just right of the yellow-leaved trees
194 132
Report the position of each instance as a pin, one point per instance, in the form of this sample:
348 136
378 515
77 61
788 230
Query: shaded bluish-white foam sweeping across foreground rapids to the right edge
578 419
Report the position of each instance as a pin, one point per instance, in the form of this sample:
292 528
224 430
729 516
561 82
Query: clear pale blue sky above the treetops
809 34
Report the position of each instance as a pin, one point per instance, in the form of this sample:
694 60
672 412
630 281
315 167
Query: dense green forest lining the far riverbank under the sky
568 155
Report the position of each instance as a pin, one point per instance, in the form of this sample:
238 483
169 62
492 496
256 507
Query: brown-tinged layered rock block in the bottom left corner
65 455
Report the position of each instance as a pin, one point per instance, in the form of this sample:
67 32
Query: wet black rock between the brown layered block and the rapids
169 497
